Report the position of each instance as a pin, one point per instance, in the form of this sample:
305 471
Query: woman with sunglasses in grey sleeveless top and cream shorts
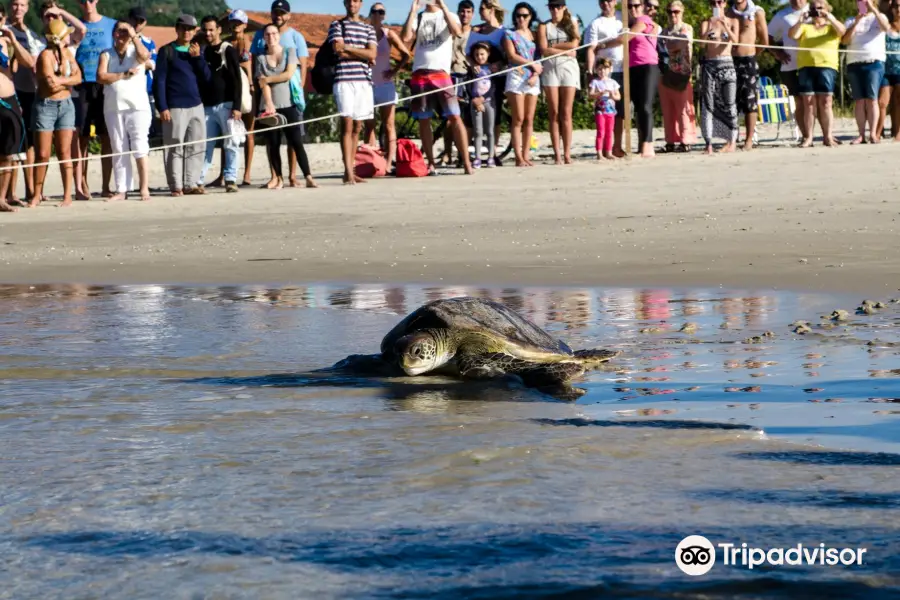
561 79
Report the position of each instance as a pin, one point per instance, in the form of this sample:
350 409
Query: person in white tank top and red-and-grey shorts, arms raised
433 31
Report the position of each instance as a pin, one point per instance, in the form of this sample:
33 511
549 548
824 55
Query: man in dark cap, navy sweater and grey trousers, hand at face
180 72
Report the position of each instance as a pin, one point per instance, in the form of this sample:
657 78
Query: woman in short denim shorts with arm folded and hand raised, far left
54 112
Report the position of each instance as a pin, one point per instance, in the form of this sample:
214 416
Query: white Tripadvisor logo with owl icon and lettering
695 555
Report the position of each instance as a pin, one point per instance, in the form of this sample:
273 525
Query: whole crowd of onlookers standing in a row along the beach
95 75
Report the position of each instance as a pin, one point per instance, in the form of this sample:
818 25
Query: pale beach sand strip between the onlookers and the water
777 217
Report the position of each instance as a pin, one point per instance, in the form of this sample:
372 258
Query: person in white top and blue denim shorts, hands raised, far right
865 38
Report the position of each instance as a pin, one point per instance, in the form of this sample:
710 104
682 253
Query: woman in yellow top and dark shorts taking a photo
819 34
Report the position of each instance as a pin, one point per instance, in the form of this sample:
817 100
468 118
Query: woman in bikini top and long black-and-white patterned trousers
718 113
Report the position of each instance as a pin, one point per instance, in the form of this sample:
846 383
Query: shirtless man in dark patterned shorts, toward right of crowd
752 30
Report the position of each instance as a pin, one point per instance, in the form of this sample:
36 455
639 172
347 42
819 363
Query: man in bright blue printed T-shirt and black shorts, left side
98 38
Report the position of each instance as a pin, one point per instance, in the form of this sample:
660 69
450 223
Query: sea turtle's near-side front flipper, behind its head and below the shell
533 374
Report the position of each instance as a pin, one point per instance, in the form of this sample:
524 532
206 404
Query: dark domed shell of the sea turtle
475 314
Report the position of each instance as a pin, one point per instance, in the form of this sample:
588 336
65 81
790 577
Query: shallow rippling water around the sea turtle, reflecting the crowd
170 442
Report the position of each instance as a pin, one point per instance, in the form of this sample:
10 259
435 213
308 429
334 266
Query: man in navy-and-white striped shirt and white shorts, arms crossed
355 45
